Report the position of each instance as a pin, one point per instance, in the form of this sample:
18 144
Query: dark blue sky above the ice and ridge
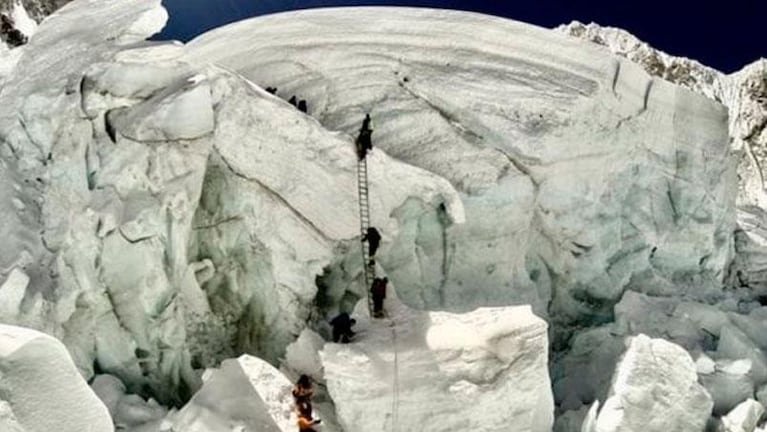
724 34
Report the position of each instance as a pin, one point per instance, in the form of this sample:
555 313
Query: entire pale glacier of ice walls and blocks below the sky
559 218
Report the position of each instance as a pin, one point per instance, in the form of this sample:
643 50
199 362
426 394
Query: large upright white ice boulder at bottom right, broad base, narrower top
655 389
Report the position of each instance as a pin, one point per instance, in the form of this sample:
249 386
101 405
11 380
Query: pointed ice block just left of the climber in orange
244 394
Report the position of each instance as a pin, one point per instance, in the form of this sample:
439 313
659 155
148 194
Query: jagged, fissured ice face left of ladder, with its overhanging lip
161 211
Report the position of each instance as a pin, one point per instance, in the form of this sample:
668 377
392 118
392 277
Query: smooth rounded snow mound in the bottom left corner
41 389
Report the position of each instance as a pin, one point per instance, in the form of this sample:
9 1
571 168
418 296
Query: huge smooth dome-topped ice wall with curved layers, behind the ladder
581 176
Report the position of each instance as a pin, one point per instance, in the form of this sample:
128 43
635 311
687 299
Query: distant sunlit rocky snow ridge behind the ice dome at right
745 95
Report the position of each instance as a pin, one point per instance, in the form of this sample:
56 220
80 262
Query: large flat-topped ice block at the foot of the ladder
433 371
